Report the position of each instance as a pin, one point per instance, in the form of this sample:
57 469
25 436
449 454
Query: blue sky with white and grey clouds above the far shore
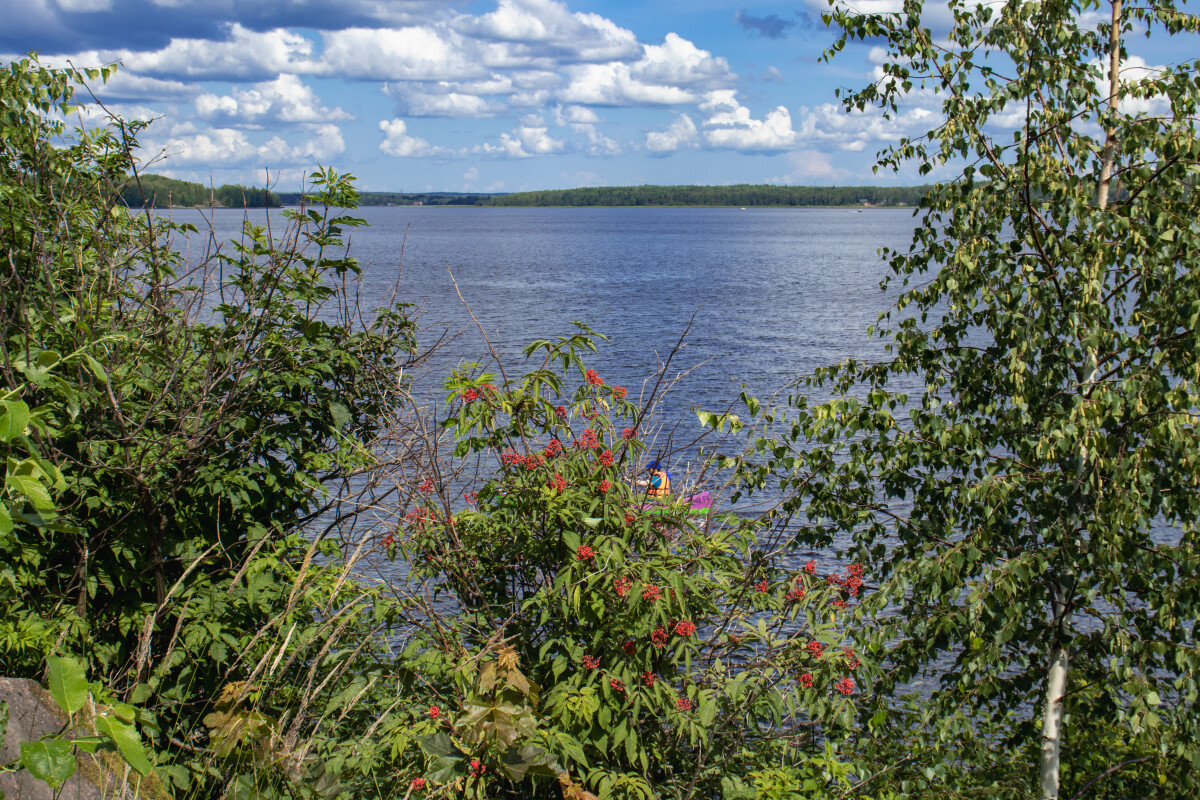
478 97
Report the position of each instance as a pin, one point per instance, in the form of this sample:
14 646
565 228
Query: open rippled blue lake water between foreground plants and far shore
775 293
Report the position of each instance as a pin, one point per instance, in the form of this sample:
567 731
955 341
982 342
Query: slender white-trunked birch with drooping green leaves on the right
1031 507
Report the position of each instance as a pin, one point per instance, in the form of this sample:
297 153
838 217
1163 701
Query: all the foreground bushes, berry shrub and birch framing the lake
199 488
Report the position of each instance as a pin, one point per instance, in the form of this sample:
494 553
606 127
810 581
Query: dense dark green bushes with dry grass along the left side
191 424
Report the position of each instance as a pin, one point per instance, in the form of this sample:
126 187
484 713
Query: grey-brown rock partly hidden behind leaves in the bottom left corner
34 714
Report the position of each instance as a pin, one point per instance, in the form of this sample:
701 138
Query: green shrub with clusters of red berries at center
579 637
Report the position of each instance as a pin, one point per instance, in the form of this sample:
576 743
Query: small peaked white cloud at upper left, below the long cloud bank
284 100
